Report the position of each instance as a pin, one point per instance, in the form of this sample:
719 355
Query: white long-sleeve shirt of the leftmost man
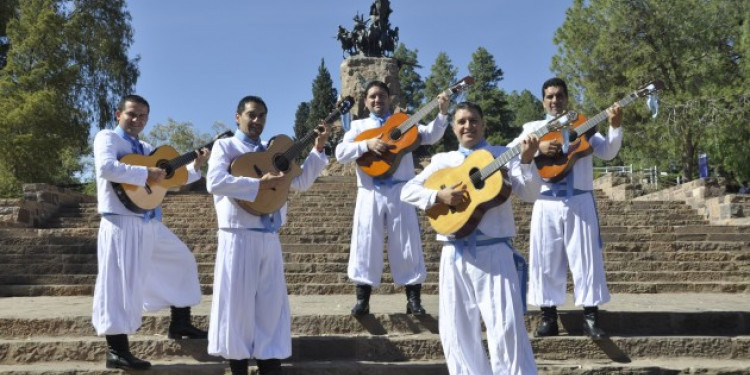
109 147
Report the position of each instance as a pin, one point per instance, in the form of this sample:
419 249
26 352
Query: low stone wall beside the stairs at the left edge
40 202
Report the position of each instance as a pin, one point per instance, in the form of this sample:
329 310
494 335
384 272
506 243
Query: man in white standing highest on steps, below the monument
378 205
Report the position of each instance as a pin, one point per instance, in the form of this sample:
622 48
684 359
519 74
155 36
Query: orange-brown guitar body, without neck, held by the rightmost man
555 168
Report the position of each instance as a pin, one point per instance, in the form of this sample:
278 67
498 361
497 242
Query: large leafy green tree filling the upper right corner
608 48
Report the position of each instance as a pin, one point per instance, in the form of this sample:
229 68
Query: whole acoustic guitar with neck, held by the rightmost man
554 168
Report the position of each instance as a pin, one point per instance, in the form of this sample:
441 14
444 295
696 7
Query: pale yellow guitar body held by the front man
461 220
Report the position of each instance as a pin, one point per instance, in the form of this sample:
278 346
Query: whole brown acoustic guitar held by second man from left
279 157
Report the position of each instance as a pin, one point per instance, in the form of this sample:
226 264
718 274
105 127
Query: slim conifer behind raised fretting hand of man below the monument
442 74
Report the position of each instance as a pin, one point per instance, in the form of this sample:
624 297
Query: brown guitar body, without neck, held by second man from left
257 164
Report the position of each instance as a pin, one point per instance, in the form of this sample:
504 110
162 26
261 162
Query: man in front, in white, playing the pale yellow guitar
478 275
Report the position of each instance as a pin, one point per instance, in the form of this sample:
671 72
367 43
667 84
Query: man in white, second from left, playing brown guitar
250 316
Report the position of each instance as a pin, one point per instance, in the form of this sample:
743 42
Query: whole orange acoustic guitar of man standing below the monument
401 134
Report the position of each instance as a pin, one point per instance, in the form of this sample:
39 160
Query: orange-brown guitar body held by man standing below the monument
400 144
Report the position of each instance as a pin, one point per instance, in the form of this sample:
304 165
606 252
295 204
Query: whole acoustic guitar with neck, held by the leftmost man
140 199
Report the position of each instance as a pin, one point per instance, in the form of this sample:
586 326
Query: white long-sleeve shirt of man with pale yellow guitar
497 222
